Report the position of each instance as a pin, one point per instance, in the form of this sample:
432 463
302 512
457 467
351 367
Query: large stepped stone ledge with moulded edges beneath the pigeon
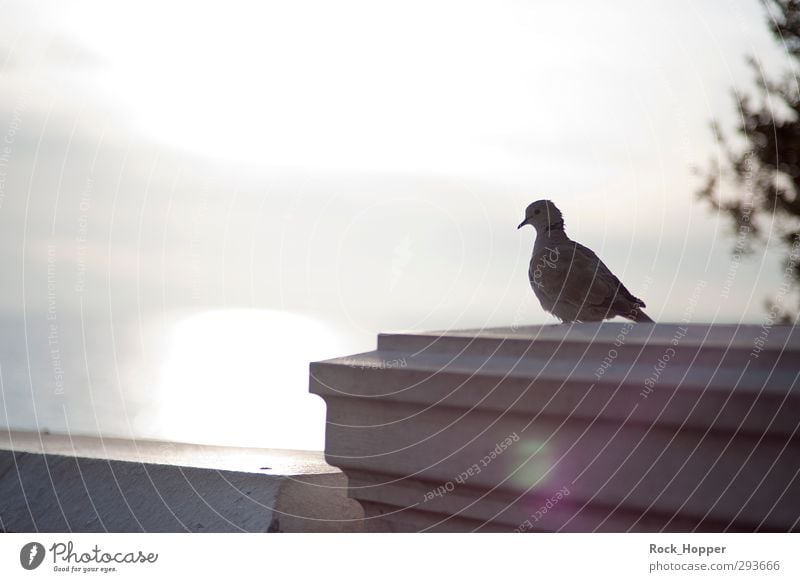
711 445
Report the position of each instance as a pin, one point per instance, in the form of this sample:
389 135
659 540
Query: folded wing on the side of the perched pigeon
575 275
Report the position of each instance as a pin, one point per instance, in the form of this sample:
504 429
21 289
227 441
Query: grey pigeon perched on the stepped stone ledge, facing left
569 280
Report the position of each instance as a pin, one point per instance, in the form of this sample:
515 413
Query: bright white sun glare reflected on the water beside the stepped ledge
241 377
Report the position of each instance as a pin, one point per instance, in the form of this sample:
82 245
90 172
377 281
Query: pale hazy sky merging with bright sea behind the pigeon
196 200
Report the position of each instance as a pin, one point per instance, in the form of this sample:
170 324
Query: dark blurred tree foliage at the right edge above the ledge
756 182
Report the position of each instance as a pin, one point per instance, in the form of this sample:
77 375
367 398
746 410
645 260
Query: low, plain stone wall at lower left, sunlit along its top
60 483
